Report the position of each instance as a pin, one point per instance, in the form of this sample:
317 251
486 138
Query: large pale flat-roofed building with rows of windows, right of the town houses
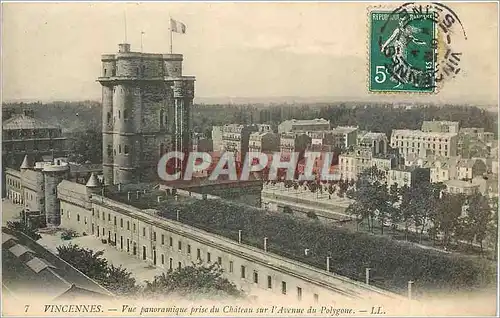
411 142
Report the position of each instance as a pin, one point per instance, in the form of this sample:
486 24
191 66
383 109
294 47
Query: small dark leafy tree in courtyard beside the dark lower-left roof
85 260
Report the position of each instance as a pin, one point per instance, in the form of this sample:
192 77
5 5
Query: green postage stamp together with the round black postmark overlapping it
410 48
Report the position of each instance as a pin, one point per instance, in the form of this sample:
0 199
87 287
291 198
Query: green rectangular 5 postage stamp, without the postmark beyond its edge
402 52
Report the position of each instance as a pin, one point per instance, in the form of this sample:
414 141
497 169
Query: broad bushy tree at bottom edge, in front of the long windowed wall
196 279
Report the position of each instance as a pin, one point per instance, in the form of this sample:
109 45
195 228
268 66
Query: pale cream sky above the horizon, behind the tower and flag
51 51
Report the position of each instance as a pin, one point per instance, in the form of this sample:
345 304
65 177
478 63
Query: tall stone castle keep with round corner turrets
146 110
